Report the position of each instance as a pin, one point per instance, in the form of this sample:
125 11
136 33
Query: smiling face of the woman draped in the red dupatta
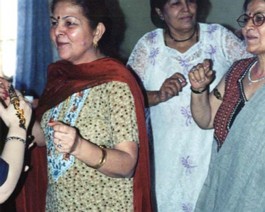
72 34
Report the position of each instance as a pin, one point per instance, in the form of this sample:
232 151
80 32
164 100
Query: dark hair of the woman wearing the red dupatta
96 12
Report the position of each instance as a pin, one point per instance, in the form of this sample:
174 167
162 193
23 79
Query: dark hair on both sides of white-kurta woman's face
203 8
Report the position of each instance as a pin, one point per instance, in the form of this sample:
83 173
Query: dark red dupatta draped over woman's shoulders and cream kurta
65 79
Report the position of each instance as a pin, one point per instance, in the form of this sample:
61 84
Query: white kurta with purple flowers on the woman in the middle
181 149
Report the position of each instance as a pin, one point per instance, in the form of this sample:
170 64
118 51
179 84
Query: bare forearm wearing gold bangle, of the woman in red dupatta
119 162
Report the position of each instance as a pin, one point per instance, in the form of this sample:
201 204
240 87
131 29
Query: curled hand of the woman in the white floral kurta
172 86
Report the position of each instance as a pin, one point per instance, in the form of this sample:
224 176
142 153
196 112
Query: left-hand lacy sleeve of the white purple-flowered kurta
138 59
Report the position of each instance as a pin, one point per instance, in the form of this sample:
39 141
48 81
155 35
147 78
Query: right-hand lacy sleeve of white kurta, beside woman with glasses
233 48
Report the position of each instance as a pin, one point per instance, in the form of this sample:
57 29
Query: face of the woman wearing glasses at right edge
255 35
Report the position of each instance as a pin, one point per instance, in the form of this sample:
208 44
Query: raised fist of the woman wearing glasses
201 75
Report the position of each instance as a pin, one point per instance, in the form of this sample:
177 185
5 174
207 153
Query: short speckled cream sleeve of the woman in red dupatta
122 114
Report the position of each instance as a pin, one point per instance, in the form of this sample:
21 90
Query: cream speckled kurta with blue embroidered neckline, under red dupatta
105 115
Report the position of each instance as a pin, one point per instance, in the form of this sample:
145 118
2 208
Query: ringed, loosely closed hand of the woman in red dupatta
66 138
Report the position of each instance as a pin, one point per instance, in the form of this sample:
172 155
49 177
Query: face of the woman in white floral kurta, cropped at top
179 15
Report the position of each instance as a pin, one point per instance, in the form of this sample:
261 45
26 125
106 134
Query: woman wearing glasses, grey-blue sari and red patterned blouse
235 109
